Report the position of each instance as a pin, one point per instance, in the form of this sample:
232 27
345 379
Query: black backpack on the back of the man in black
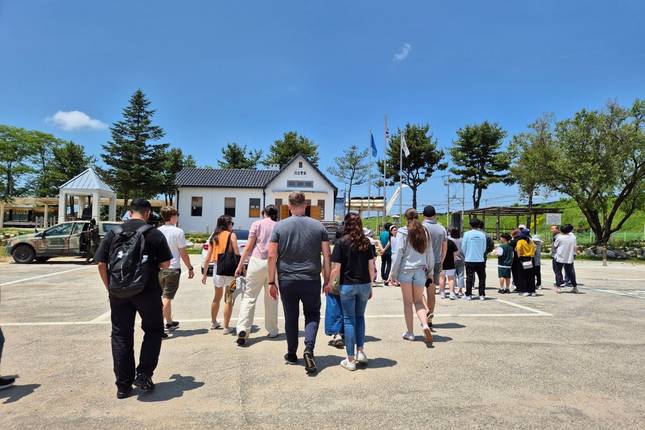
125 266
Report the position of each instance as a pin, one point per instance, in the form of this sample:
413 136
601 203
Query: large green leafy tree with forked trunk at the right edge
598 159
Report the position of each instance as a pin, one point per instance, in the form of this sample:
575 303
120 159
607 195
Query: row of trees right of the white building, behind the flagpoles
597 158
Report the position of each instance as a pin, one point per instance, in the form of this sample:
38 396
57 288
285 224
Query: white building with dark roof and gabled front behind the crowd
205 194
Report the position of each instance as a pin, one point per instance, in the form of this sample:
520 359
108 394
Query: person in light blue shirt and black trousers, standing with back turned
474 246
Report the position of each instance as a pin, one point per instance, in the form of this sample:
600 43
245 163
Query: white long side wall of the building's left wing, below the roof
213 207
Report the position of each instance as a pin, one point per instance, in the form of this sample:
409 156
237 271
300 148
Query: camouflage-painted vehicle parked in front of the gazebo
69 239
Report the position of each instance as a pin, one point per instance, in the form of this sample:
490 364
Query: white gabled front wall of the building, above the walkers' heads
321 189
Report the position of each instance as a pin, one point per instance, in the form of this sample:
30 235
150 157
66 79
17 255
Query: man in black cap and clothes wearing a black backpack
129 259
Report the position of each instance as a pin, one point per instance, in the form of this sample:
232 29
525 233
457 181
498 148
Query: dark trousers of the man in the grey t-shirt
292 293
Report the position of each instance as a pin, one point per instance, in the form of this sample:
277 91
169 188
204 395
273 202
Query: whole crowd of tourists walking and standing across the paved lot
140 267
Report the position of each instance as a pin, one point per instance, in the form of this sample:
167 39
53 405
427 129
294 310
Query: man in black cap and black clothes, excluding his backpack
156 256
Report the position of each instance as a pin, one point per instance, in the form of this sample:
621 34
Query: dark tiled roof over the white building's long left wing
225 178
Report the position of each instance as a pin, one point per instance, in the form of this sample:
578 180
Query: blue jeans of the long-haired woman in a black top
353 299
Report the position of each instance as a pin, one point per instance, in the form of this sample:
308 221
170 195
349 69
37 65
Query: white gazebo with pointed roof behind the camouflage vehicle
84 185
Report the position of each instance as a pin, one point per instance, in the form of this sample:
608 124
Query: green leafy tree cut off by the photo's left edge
15 153
